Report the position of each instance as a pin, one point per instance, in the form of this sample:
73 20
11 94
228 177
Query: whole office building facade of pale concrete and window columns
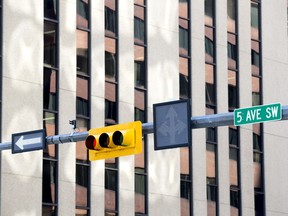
106 62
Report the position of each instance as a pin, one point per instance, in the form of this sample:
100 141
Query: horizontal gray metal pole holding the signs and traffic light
215 120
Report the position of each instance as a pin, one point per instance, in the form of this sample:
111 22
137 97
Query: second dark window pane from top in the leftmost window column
50 54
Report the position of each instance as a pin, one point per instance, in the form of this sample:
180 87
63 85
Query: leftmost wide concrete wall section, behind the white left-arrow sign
21 174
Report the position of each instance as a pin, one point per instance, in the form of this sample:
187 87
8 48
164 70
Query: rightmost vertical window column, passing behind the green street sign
256 73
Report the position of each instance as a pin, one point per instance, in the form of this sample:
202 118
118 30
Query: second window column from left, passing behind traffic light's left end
82 175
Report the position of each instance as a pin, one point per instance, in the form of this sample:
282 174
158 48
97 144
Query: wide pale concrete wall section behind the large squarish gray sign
163 54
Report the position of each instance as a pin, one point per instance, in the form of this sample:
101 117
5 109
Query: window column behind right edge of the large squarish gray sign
185 93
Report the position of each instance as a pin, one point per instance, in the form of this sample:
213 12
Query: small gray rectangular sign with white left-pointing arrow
28 141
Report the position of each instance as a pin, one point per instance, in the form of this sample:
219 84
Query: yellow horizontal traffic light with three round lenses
114 141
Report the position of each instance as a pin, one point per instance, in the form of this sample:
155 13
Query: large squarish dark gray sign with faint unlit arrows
172 124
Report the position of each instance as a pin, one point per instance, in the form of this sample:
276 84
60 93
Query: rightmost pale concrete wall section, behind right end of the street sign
275 67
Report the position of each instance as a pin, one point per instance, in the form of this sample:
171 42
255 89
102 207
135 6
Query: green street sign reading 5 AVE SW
257 114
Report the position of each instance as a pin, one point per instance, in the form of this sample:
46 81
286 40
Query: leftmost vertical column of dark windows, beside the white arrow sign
50 107
